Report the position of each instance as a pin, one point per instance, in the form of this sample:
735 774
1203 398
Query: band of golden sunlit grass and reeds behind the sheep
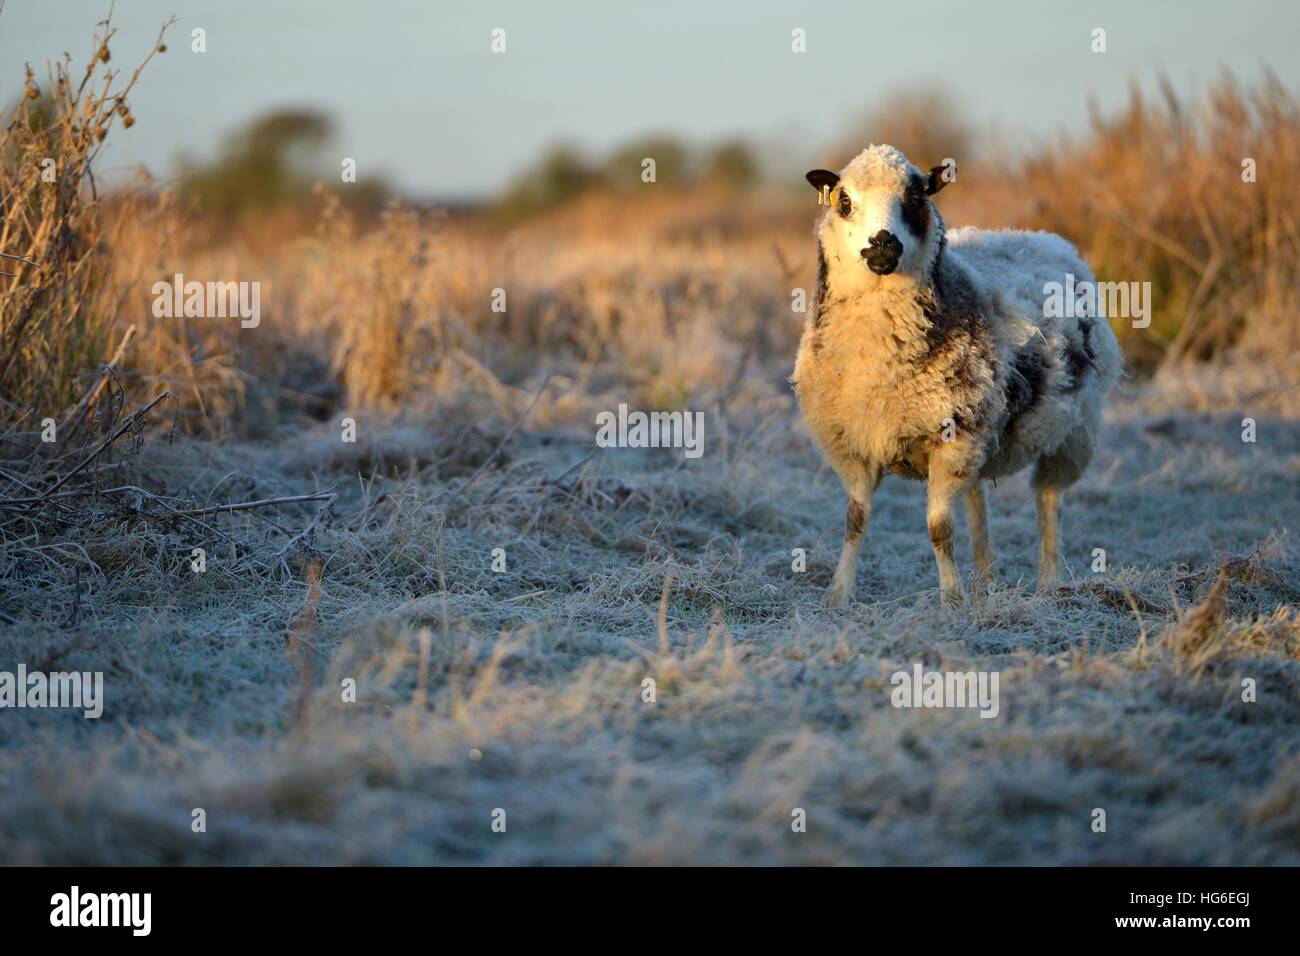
678 293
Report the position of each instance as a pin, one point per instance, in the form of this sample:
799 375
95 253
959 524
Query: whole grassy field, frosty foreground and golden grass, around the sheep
393 641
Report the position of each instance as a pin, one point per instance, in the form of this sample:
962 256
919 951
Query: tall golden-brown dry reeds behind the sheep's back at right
1163 200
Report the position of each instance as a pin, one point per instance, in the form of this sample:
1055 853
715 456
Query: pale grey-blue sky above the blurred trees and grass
418 93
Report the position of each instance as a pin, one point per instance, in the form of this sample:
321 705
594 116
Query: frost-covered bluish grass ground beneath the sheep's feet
523 691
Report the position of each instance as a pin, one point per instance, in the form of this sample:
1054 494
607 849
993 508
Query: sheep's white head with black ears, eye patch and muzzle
879 217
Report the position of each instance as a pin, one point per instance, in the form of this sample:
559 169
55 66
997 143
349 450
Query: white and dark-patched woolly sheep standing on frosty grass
931 356
